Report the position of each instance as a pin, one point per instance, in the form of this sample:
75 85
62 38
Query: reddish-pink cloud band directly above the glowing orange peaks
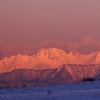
87 45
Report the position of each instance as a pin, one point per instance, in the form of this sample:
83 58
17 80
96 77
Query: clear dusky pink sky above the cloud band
34 21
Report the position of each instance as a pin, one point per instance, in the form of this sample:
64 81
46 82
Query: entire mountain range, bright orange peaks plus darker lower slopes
48 66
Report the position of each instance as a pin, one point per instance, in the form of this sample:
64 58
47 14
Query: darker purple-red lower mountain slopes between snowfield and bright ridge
61 75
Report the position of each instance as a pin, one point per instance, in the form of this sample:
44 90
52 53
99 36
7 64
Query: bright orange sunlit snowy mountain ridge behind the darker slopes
47 59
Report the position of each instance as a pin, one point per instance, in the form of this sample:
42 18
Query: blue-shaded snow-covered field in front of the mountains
71 91
